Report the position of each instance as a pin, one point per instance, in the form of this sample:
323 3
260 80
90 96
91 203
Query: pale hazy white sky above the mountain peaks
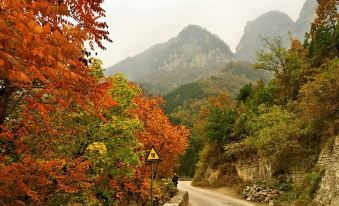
136 25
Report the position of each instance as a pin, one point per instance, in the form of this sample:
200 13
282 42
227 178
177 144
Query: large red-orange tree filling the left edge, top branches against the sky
42 76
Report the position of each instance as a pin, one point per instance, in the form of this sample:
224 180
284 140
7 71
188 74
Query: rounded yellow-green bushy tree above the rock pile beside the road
276 135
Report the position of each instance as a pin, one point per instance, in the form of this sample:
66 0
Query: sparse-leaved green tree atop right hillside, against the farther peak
289 67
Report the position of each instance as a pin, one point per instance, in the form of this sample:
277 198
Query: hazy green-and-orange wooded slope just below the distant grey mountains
184 102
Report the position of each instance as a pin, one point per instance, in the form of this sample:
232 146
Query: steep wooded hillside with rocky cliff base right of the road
282 135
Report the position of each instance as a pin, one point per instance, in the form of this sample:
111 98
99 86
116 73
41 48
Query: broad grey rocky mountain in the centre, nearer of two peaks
193 54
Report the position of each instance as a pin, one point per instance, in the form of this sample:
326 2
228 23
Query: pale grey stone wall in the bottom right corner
328 192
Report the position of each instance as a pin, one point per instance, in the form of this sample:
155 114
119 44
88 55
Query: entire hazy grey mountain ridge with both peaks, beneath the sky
195 53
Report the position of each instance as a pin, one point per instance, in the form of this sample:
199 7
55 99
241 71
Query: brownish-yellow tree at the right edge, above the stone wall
319 99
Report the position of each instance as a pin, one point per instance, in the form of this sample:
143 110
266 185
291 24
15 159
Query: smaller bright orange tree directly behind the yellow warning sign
170 140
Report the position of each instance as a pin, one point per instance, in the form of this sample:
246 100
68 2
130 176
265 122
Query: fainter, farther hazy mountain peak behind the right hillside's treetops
273 24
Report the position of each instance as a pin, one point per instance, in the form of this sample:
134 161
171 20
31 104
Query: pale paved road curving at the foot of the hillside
202 197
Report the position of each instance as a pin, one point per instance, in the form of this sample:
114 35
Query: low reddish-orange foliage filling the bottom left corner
37 179
